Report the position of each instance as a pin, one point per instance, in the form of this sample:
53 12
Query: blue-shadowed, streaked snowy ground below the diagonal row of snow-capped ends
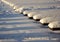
15 27
